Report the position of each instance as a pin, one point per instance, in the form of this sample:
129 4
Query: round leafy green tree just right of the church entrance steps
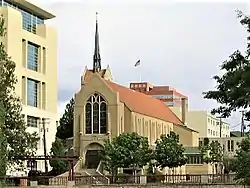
128 150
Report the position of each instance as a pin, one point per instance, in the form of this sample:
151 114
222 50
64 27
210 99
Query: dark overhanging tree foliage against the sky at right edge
232 90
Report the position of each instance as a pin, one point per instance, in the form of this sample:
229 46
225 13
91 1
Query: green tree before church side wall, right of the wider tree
169 152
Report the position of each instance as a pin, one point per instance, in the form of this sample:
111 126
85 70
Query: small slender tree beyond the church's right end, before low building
212 154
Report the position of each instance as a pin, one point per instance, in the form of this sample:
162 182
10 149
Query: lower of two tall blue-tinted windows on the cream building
32 91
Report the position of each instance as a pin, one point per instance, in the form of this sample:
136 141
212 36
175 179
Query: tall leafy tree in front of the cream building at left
18 140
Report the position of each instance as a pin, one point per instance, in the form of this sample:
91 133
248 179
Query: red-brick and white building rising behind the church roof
167 94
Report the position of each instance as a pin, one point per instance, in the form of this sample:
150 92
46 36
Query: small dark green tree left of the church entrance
58 150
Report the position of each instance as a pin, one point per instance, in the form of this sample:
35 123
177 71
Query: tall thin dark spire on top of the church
97 57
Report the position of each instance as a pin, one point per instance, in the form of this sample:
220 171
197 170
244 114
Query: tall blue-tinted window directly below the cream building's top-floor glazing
32 57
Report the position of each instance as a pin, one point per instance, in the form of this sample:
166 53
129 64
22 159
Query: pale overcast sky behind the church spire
179 44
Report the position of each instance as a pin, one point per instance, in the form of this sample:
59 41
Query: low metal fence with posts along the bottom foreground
121 179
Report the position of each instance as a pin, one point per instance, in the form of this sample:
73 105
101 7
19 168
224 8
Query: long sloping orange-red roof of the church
144 104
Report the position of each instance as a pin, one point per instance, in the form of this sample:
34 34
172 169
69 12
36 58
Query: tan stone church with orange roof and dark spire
104 109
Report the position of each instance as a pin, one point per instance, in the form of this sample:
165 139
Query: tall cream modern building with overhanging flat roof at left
32 45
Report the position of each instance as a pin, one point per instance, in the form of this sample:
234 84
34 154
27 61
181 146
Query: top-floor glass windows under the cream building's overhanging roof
29 20
